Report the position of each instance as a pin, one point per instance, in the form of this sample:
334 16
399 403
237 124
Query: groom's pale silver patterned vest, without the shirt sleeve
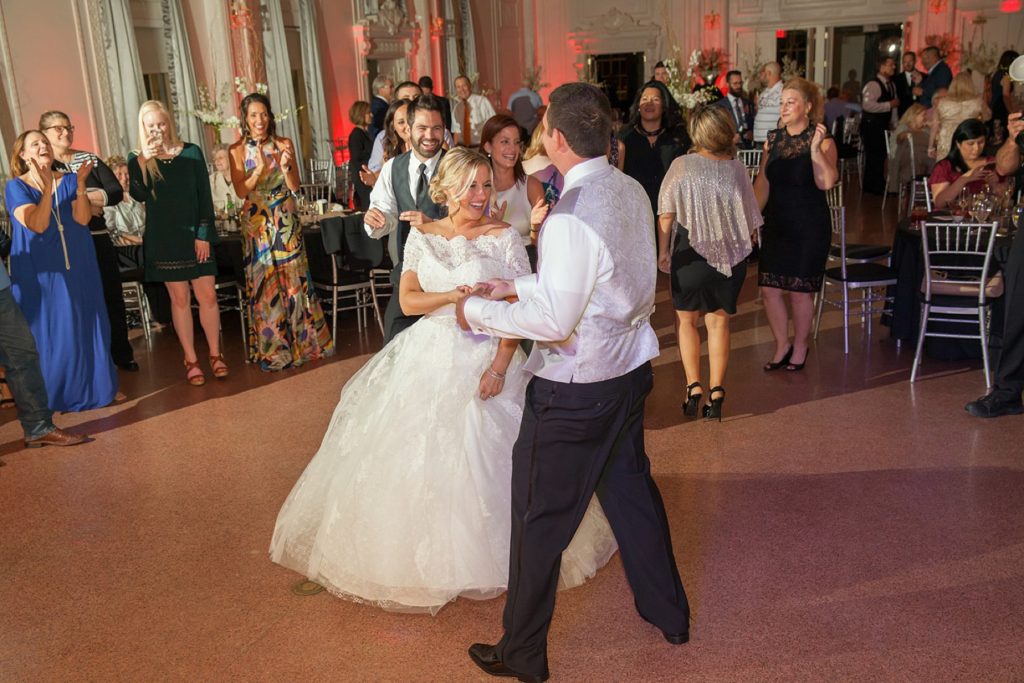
615 335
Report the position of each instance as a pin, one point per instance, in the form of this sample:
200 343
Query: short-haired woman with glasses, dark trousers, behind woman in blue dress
103 191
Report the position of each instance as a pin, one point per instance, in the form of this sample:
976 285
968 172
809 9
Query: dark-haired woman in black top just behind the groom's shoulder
653 138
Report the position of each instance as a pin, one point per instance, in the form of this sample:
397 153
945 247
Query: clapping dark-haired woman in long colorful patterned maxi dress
286 324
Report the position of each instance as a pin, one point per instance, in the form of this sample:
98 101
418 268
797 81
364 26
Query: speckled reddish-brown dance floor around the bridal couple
840 525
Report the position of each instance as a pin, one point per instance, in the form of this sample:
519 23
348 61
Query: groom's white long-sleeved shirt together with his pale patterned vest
589 306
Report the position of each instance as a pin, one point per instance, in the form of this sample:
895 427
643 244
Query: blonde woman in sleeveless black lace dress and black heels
797 168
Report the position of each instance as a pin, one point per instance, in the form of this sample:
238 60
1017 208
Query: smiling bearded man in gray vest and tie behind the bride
401 198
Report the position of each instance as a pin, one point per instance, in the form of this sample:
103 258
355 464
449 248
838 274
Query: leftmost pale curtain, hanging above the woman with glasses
125 72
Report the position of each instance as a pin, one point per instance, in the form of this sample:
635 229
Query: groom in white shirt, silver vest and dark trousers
589 310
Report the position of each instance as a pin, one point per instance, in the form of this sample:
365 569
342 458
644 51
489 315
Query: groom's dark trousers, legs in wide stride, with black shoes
577 439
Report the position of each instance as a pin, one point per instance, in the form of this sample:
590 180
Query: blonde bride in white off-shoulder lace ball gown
407 504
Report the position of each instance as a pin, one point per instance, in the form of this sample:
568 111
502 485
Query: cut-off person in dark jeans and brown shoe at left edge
25 379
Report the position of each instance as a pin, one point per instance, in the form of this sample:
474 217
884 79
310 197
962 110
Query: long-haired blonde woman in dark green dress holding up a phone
170 177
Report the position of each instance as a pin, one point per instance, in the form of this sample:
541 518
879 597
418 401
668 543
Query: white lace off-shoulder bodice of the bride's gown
443 265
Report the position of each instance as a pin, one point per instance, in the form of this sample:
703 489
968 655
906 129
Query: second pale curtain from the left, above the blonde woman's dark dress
182 76
